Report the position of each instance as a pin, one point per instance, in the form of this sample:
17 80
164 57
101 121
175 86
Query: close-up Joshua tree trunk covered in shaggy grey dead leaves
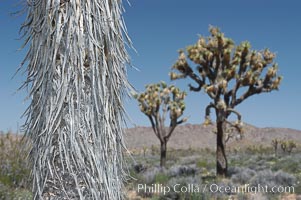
77 80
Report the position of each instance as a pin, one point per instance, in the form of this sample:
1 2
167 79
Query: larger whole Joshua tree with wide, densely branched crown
229 75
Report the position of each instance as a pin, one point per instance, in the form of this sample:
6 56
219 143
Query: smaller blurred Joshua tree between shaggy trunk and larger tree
155 103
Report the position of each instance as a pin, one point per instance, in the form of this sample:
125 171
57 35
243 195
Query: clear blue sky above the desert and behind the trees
159 28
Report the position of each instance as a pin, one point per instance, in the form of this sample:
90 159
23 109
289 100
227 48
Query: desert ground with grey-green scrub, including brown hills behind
252 160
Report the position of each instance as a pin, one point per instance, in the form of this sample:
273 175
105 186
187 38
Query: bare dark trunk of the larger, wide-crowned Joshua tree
221 160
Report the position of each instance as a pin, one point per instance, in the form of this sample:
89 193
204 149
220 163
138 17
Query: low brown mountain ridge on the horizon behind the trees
197 136
